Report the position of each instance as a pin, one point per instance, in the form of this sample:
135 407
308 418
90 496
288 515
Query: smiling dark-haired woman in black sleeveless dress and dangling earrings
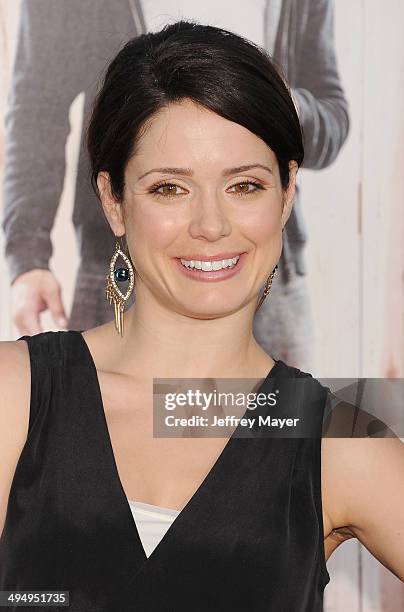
195 145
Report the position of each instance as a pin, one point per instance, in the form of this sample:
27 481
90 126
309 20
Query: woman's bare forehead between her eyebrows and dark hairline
187 134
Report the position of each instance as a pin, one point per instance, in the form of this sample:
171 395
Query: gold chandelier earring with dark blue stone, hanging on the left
113 293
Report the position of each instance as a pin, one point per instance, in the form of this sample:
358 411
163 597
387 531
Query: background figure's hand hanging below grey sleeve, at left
32 293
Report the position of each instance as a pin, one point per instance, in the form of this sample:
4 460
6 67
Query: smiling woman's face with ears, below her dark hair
198 187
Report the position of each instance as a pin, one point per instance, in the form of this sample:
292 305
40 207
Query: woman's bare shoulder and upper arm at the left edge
15 392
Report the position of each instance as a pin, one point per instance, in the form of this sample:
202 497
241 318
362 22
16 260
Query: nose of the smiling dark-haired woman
209 219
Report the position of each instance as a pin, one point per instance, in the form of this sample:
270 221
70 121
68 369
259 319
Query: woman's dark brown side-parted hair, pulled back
215 68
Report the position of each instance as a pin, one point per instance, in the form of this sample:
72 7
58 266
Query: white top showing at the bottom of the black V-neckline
152 523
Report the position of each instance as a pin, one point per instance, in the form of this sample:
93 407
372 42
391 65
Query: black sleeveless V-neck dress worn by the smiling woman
250 539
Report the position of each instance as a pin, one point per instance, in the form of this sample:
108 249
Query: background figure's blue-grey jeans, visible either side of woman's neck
282 326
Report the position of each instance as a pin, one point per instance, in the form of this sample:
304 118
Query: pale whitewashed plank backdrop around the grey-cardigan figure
354 215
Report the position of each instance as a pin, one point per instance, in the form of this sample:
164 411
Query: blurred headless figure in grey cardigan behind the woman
60 47
